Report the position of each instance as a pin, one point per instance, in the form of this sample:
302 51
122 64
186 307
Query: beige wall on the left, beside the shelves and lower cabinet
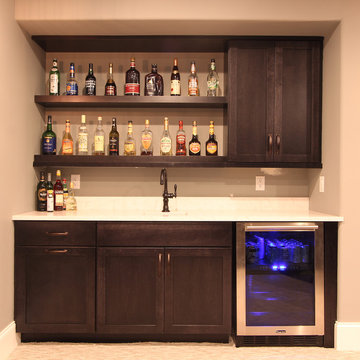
20 71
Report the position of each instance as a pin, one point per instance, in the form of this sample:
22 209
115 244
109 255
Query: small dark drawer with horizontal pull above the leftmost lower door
55 233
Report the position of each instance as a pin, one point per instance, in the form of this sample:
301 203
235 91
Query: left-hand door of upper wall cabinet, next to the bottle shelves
251 100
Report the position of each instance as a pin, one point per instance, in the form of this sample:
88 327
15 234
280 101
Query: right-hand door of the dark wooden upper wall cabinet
297 128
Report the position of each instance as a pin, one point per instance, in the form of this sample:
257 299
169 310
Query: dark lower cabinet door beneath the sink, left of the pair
130 290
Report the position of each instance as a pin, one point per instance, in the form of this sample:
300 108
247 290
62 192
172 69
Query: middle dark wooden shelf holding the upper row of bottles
131 101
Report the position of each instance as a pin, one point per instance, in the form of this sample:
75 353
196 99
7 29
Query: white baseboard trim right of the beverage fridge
347 335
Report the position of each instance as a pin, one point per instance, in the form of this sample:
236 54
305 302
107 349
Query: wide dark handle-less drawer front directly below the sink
164 234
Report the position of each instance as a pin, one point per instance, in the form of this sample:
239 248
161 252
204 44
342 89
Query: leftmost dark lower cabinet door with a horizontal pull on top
54 289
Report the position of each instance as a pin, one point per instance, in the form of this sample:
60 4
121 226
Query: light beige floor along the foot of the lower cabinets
171 351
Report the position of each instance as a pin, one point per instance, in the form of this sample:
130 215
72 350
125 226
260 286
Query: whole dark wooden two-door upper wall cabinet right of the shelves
274 102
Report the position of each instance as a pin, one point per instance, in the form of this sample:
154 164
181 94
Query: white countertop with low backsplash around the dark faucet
185 209
